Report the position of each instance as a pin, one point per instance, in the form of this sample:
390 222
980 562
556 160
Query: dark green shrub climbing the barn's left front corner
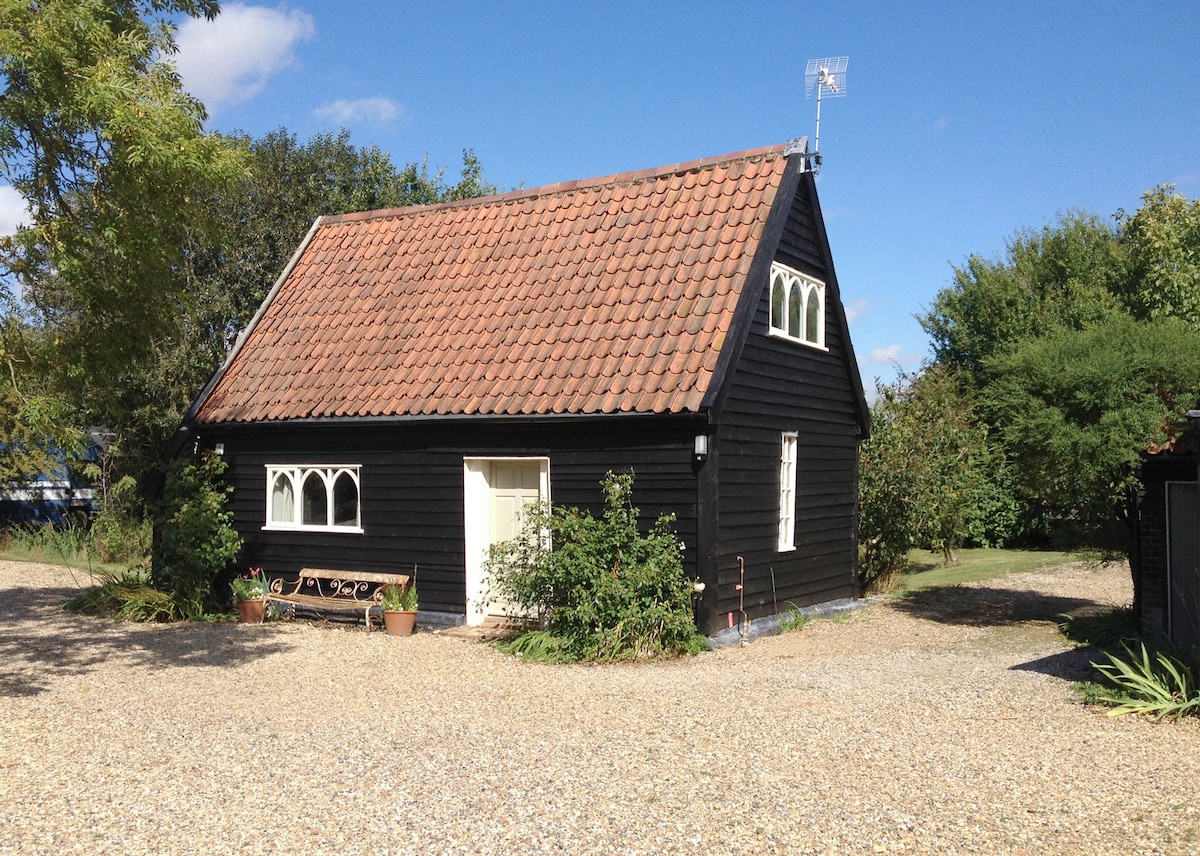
197 537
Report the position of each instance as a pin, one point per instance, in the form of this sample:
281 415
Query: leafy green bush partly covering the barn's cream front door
603 591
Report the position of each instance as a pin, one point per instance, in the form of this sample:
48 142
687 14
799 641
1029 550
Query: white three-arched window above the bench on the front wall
314 498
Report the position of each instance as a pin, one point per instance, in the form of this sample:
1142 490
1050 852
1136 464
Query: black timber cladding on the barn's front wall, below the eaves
413 487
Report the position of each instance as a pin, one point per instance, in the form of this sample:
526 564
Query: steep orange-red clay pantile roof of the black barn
602 296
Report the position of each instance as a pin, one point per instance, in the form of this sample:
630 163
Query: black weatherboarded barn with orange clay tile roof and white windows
418 375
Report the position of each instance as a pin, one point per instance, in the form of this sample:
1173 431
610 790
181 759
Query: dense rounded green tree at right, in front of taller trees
1076 410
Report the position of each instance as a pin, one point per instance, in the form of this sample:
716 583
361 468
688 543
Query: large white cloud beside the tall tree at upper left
231 58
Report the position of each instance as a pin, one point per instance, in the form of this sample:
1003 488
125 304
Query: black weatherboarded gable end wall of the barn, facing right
777 387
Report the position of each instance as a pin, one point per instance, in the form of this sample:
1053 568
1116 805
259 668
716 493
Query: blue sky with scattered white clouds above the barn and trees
964 122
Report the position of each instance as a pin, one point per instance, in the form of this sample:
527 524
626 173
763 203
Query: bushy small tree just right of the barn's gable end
929 477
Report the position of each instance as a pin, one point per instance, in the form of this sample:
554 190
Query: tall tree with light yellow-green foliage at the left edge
111 157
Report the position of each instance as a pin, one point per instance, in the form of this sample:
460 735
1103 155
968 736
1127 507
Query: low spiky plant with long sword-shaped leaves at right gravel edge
1163 687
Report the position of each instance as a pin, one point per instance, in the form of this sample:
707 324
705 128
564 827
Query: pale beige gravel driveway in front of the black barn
945 725
